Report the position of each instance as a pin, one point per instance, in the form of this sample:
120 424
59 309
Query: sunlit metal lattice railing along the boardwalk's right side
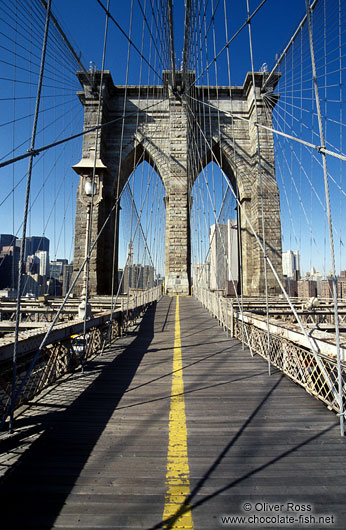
289 351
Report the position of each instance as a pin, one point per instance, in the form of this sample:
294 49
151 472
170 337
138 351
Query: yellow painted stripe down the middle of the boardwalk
178 473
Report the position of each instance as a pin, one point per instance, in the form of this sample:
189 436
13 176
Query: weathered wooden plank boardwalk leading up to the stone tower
96 446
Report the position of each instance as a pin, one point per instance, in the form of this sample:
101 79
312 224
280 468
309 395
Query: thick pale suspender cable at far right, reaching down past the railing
330 224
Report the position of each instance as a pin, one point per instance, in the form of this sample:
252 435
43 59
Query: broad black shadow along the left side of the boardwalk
68 440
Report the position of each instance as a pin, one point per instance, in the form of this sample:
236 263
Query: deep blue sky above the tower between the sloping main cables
272 28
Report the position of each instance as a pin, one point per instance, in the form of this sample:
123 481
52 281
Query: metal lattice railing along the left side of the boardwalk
66 349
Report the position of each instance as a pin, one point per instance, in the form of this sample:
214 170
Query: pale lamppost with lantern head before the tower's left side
89 193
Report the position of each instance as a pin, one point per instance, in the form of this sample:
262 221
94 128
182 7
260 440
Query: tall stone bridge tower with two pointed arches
157 129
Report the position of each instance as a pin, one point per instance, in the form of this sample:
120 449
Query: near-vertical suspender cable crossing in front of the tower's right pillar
265 257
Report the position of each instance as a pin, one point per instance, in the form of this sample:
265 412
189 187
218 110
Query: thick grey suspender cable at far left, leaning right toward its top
25 216
